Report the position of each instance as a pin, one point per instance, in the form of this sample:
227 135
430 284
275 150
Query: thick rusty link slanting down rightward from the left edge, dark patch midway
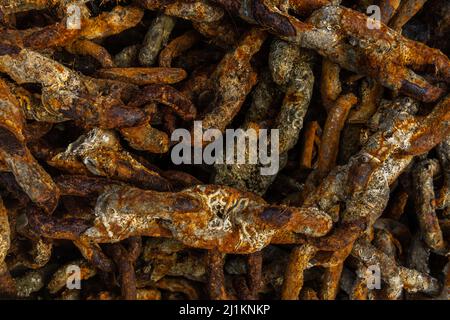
32 178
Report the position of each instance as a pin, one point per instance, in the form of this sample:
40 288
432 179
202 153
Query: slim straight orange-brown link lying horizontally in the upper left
144 76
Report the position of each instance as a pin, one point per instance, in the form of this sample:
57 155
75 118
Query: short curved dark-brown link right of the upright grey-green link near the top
176 47
